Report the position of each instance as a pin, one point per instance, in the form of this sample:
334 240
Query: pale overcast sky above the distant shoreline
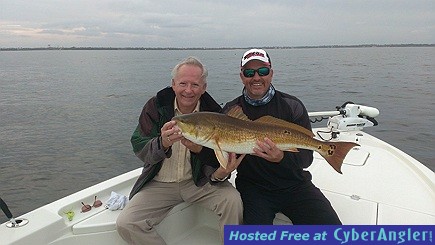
214 23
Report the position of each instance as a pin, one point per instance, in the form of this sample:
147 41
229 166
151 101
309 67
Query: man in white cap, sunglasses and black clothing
270 180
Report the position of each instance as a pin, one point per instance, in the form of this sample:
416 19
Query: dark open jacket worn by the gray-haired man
147 145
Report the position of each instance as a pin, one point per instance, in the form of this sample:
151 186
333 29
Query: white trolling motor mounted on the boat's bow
349 117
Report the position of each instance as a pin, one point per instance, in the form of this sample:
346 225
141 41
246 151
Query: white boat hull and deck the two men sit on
379 185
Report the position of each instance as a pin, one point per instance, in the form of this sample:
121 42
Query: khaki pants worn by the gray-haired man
136 223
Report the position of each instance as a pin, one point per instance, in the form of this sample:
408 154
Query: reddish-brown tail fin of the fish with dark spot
336 152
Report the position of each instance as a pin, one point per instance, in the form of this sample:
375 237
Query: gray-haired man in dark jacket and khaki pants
175 169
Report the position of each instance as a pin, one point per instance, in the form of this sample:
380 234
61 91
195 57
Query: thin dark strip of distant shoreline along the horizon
225 48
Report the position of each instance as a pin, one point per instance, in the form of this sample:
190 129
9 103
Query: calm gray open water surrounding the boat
66 117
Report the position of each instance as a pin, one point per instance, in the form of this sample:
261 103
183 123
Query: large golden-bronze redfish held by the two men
234 132
